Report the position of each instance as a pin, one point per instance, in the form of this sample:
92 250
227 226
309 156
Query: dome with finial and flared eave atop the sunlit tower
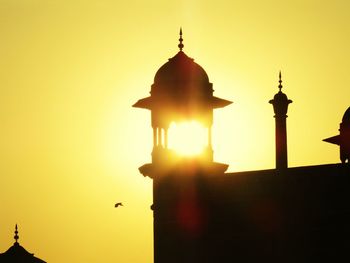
181 84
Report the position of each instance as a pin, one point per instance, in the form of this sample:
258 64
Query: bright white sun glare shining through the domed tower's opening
187 138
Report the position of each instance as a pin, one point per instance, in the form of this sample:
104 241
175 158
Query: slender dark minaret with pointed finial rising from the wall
280 104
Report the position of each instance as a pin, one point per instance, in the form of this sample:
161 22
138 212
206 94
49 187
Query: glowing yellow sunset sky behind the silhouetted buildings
71 143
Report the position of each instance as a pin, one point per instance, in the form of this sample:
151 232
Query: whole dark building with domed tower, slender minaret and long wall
203 214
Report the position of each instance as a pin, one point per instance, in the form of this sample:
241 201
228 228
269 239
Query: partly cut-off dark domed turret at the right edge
343 139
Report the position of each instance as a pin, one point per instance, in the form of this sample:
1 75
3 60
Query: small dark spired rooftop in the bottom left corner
18 254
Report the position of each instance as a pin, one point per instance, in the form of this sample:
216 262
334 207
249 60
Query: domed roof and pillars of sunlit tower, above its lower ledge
181 92
